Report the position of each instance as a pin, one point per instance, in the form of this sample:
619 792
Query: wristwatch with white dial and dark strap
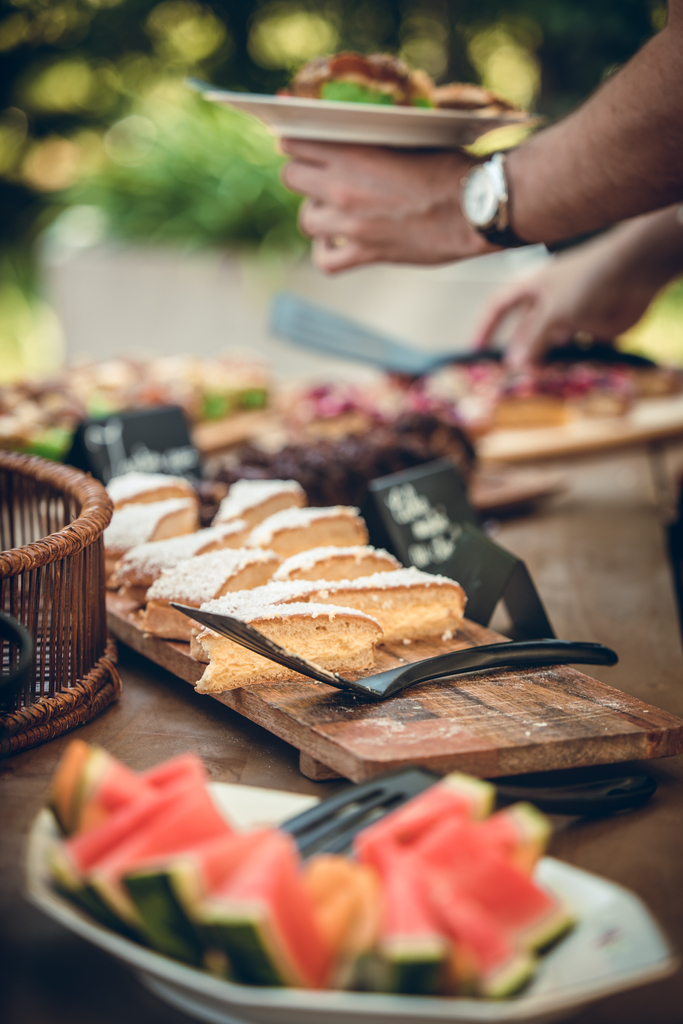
485 201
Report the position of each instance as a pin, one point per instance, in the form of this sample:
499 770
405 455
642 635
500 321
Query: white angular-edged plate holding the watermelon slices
616 946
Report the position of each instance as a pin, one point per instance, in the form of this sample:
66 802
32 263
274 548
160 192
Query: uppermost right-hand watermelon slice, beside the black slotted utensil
457 795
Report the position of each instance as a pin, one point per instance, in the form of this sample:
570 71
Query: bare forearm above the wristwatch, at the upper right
619 156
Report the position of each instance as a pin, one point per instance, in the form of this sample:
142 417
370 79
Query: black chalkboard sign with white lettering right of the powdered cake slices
419 515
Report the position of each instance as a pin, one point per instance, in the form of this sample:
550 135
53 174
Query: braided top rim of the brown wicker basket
96 514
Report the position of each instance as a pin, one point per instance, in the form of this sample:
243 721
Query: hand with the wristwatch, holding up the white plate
368 204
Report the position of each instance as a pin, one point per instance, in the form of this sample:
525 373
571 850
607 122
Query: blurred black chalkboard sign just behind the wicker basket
150 441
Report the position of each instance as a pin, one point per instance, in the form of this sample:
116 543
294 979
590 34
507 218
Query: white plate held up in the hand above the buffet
372 124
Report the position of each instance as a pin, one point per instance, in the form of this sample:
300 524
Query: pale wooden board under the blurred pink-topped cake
650 420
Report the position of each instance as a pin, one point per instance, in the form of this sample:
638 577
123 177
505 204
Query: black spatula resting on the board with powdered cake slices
387 685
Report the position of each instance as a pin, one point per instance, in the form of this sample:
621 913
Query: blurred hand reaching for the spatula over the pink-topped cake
601 290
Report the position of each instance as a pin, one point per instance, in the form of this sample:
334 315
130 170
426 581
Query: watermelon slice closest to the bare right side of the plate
531 916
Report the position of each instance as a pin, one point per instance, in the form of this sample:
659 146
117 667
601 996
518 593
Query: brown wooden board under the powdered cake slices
496 723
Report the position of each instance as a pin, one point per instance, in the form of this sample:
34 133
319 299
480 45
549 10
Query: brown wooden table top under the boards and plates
599 557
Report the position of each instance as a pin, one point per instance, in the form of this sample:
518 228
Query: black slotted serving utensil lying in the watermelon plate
332 825
